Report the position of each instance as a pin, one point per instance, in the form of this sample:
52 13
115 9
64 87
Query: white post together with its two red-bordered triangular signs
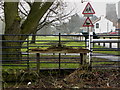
88 12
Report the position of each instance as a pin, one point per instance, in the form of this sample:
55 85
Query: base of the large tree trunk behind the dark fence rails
11 52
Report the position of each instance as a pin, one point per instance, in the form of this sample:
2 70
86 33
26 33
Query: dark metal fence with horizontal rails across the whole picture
19 56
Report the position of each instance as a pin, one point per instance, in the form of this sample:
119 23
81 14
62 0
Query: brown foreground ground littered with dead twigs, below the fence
72 80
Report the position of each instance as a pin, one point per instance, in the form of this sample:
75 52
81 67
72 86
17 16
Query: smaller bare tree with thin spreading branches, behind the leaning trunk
55 14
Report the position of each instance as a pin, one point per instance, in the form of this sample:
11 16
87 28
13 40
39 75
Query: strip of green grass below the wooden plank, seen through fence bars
33 63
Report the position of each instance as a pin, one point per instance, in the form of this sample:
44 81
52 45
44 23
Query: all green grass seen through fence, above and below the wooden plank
32 64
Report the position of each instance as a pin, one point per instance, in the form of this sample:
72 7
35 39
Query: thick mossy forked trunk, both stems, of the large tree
12 50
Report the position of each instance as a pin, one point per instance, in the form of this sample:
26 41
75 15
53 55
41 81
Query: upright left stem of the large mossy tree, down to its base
11 48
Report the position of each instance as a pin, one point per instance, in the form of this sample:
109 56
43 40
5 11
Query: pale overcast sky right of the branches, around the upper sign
99 6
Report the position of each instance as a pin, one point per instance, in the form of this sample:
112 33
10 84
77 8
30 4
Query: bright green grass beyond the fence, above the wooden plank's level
39 44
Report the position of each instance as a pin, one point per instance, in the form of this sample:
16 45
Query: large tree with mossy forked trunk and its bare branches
27 18
